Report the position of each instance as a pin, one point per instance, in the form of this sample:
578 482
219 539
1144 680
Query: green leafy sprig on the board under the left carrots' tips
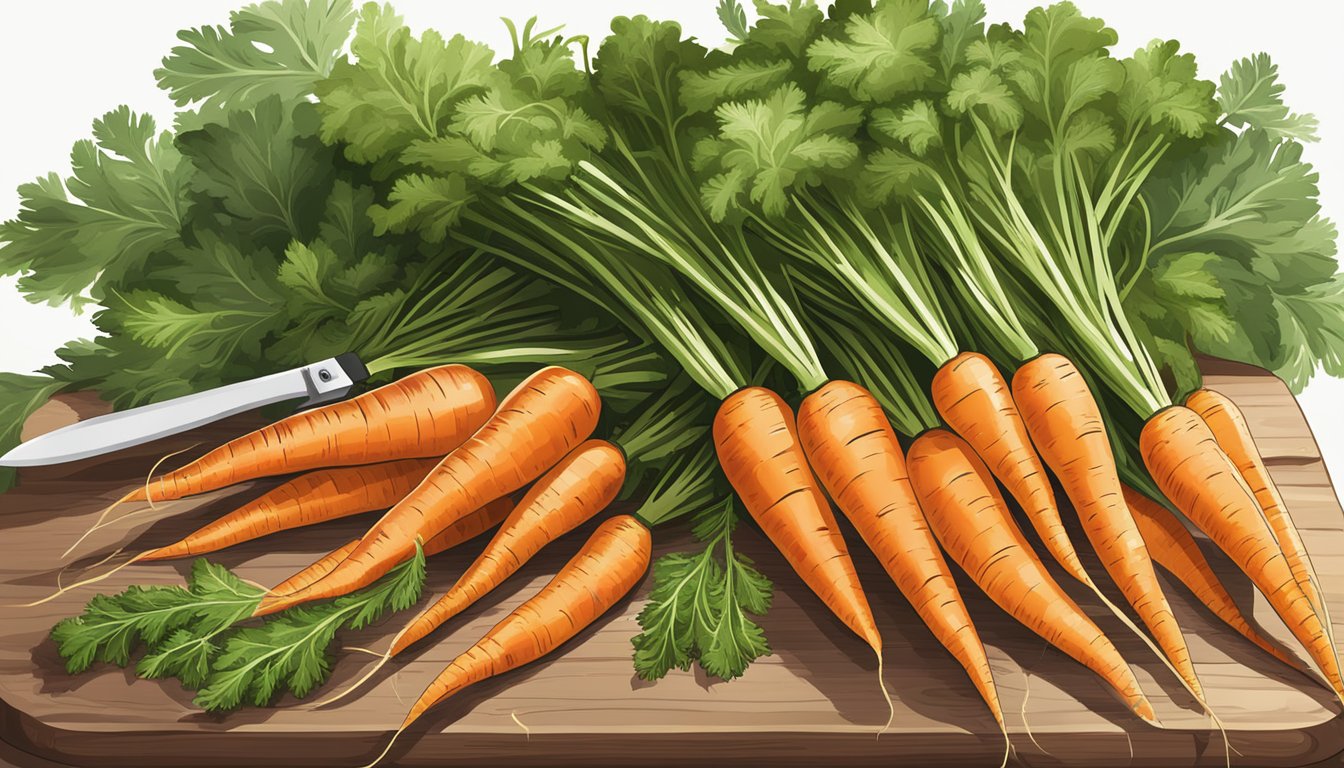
190 634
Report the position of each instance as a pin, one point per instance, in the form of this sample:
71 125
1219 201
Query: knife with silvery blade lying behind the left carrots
322 383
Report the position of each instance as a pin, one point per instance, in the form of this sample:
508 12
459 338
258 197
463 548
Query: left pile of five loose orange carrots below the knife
446 458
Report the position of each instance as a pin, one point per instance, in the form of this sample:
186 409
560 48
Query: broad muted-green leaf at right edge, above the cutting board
1249 208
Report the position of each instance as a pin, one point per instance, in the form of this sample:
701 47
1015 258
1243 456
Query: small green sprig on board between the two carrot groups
701 607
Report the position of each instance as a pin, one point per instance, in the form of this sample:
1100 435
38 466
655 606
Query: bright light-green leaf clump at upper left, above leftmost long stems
452 123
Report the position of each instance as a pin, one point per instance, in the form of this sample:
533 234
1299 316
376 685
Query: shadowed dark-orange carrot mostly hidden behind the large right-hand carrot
1175 549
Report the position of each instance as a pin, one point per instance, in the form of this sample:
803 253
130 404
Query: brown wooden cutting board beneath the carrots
815 700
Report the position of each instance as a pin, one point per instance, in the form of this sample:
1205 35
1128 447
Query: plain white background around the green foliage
68 63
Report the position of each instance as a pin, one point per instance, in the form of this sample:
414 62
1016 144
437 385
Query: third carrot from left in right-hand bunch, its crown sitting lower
972 523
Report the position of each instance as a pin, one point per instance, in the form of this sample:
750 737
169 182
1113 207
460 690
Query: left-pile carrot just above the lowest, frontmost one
565 498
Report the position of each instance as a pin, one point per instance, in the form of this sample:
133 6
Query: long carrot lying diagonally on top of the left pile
541 422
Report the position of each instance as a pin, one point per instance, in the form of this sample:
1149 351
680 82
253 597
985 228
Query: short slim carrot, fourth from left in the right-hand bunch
975 400
